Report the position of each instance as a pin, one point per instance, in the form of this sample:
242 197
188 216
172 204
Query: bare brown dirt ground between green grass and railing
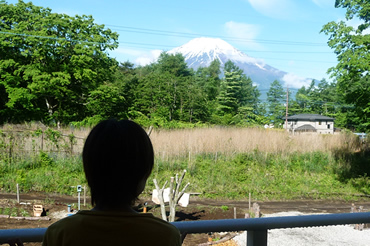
198 209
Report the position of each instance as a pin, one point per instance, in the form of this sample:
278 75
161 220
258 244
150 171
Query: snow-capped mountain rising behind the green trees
200 52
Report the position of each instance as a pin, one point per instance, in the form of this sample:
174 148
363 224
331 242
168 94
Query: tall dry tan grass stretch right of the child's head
170 143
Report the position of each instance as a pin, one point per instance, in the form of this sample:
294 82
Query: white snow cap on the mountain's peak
204 50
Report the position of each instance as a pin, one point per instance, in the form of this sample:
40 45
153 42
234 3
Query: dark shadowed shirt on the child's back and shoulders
110 228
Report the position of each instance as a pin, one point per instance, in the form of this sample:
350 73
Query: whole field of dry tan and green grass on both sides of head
221 162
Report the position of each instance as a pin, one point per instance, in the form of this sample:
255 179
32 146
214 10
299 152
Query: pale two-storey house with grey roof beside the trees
310 123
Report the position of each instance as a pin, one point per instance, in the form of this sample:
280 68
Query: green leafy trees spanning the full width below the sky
56 69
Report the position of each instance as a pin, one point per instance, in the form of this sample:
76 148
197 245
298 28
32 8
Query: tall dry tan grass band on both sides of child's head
182 143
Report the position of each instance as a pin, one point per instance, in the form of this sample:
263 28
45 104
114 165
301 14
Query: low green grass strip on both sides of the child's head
267 176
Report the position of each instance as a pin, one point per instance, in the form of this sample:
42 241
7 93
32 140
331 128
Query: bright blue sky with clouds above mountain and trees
283 33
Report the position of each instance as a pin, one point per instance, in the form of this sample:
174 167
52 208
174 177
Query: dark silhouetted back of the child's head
117 157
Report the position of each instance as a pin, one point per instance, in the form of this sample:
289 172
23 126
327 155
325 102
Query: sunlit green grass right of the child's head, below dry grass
269 176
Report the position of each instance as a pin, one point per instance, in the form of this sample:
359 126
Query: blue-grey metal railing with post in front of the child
256 227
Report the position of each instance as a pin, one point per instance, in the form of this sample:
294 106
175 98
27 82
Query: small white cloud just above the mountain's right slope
244 31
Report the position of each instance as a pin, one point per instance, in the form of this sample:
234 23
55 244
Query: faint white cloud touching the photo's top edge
280 9
